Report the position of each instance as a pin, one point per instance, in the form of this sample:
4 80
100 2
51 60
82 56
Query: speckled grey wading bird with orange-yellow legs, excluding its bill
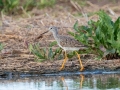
66 43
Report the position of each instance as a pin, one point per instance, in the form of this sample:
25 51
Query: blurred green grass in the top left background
14 6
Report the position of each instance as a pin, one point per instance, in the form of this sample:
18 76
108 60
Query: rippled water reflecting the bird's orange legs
84 81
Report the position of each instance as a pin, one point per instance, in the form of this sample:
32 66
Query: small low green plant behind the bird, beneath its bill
45 53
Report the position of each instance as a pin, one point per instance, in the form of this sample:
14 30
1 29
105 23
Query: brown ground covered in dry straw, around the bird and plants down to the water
16 32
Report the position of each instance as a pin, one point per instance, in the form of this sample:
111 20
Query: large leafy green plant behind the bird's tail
104 33
